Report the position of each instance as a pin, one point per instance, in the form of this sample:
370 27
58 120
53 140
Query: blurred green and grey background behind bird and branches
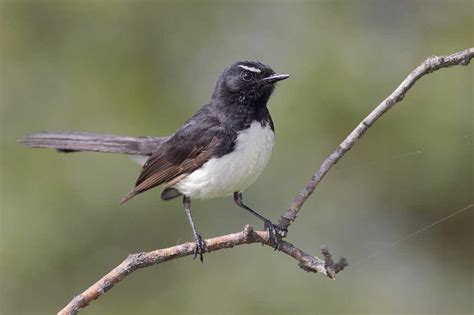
143 67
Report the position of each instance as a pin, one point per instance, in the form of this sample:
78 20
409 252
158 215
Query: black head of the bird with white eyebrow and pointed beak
247 82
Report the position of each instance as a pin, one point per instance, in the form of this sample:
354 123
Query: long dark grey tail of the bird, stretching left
73 141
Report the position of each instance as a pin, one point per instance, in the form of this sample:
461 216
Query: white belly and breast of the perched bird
234 171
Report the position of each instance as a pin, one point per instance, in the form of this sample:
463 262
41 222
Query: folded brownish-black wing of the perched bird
187 150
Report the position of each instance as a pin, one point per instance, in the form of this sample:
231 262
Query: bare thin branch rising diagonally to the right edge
429 65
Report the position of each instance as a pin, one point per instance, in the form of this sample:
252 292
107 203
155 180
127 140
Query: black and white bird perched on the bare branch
221 150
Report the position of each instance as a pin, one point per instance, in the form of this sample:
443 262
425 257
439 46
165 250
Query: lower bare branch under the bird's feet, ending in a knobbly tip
247 236
